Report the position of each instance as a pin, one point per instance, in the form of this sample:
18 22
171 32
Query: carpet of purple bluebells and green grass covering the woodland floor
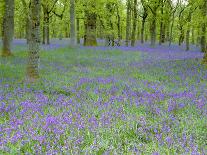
103 100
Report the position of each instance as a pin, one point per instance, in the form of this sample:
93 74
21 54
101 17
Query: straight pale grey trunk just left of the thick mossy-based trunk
72 23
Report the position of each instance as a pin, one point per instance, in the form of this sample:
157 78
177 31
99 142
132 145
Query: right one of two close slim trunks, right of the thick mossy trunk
134 24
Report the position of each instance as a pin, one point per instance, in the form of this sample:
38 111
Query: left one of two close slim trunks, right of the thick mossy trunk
128 22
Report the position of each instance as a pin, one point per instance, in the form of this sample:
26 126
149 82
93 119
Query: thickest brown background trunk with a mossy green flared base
90 29
